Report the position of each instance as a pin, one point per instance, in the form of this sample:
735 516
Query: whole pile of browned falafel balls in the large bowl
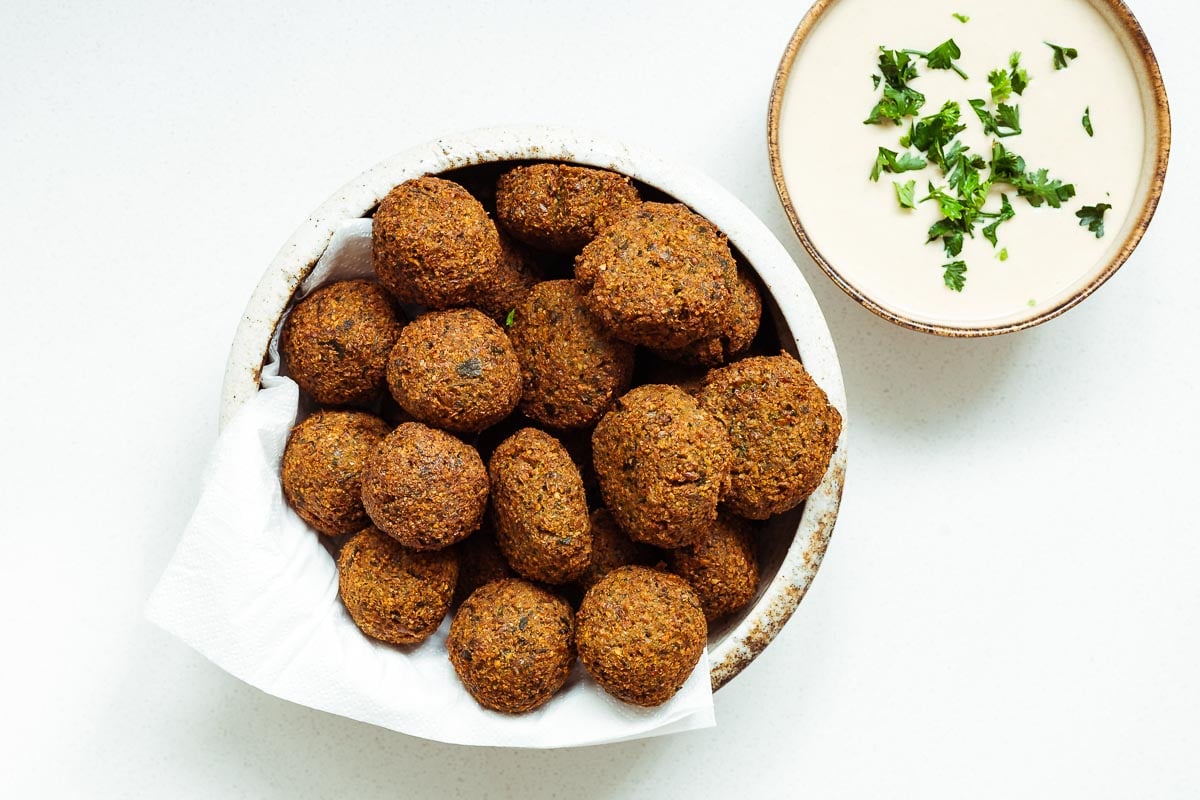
494 455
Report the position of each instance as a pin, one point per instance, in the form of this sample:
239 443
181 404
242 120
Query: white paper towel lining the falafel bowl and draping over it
255 591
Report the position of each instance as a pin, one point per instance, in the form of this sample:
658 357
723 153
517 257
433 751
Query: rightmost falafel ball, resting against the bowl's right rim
783 430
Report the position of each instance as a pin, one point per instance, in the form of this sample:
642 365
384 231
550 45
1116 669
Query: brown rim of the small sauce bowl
1162 116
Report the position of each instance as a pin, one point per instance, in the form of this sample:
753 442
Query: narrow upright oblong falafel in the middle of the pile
539 507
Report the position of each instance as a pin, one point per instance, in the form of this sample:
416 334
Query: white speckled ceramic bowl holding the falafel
793 545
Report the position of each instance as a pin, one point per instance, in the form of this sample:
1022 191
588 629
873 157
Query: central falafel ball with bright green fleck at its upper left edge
572 369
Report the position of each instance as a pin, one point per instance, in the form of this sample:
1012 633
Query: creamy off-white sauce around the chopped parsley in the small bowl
880 249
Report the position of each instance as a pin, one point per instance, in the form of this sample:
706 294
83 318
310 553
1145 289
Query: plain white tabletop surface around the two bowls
1011 606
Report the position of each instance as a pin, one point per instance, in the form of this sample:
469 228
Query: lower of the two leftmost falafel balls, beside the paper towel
323 464
